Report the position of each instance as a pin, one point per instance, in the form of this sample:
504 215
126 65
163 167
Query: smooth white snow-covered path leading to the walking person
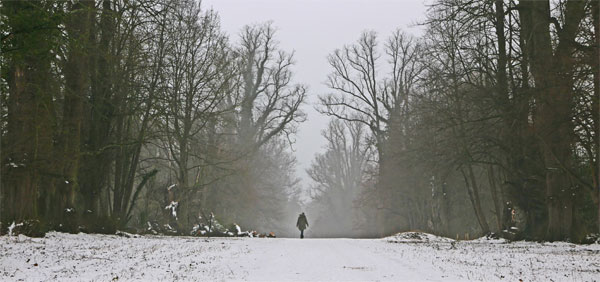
326 259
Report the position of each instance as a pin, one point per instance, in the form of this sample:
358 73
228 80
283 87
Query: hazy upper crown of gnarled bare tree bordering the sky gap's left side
269 104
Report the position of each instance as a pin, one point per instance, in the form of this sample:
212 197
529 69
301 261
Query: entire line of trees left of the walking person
124 114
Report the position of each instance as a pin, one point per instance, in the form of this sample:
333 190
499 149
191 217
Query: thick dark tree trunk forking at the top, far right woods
552 72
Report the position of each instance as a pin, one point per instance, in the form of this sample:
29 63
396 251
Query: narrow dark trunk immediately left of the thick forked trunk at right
522 148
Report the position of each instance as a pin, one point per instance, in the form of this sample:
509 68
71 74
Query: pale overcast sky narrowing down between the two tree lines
313 29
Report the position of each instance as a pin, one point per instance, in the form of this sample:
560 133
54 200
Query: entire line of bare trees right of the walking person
486 123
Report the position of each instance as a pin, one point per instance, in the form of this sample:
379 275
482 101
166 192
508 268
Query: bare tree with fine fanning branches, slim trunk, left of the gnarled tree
199 73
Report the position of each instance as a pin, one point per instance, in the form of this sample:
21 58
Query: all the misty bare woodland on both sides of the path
124 114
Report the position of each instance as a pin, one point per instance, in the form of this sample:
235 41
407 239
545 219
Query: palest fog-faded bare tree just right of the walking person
338 175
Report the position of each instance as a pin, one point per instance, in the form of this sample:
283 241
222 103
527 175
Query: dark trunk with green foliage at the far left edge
28 143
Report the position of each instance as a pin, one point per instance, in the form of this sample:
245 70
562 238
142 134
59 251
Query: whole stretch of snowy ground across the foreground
67 257
